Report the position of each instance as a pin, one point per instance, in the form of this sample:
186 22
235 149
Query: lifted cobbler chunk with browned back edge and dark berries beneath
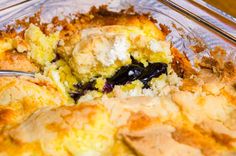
103 55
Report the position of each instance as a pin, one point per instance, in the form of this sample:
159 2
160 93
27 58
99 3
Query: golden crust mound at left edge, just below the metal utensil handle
19 97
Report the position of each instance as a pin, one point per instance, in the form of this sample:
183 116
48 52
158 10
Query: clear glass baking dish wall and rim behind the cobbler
192 23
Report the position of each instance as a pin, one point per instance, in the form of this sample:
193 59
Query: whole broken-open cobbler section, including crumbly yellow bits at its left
97 54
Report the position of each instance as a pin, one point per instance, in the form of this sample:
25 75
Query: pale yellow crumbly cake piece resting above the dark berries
101 51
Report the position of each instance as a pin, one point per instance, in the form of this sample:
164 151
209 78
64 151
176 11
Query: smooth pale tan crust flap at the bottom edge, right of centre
157 140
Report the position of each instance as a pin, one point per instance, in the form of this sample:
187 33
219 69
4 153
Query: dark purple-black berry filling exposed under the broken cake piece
125 75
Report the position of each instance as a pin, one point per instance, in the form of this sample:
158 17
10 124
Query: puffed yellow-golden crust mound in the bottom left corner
55 131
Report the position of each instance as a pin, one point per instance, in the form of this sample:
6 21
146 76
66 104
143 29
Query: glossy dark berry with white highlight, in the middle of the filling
126 74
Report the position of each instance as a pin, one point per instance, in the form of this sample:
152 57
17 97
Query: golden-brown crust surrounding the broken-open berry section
197 119
